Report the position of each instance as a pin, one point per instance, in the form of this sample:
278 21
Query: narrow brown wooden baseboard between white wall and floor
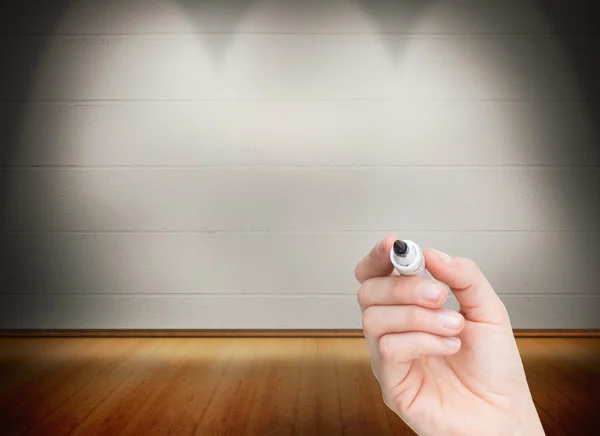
295 333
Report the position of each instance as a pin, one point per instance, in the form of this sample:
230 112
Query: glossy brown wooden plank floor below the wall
247 386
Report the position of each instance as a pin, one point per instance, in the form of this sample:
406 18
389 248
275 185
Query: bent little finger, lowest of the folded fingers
398 350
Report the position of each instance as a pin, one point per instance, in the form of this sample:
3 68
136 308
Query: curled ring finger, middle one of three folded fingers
379 321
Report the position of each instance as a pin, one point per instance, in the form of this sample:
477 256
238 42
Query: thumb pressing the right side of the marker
477 299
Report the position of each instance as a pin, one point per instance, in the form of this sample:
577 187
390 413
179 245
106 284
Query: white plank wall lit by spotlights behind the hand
180 164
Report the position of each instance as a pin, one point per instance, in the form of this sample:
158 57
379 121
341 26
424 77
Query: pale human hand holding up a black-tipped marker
443 372
